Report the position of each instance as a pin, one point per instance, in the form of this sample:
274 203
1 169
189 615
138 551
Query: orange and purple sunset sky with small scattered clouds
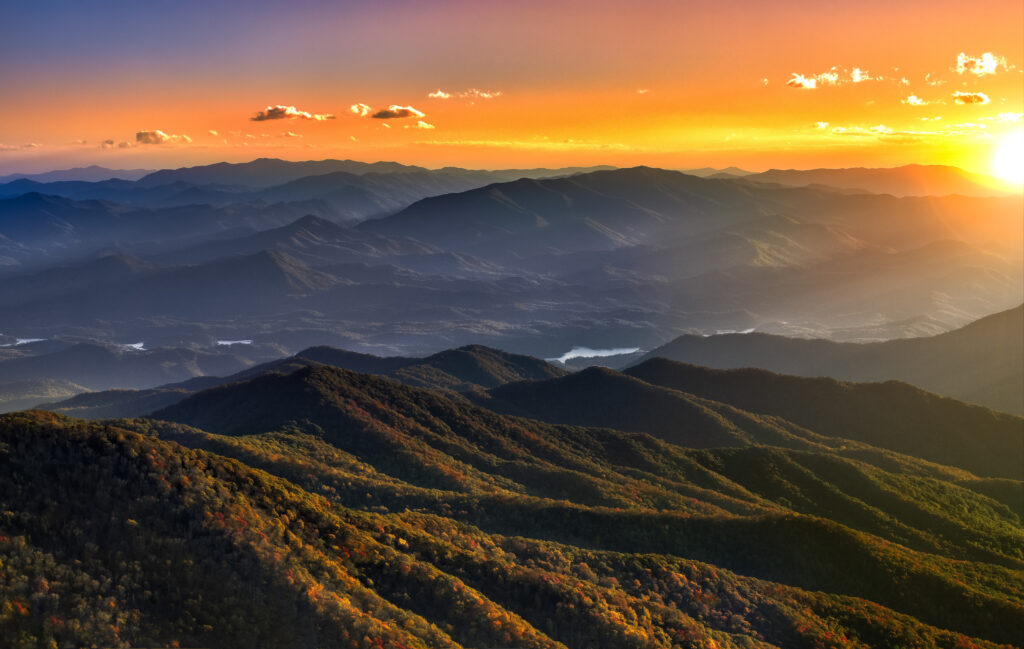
674 84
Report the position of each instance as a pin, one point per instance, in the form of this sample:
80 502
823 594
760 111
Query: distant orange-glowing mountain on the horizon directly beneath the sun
911 181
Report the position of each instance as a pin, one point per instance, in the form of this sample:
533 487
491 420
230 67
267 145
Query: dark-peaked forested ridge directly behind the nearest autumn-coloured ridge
424 441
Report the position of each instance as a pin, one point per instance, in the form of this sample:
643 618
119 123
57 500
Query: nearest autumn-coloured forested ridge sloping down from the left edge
197 549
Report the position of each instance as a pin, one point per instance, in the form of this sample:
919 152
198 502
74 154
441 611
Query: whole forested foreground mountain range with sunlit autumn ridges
365 511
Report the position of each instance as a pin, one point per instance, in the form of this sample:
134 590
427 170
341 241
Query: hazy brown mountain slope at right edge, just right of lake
983 363
